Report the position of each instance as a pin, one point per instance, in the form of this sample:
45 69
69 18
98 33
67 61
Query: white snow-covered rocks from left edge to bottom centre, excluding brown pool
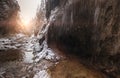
39 57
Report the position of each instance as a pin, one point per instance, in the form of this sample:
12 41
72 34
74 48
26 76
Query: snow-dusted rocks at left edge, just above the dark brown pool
12 42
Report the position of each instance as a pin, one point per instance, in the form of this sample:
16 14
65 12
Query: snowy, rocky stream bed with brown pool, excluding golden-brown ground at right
21 56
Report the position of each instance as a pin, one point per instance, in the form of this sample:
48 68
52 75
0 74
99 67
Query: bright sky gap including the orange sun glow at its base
28 10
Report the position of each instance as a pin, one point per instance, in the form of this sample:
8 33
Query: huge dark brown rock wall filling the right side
88 30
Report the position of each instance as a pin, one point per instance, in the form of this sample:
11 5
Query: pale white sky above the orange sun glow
28 9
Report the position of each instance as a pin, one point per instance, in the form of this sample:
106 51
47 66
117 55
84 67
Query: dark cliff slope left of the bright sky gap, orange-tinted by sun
9 16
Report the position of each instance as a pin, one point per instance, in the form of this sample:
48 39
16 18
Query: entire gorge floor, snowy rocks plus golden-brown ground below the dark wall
22 56
